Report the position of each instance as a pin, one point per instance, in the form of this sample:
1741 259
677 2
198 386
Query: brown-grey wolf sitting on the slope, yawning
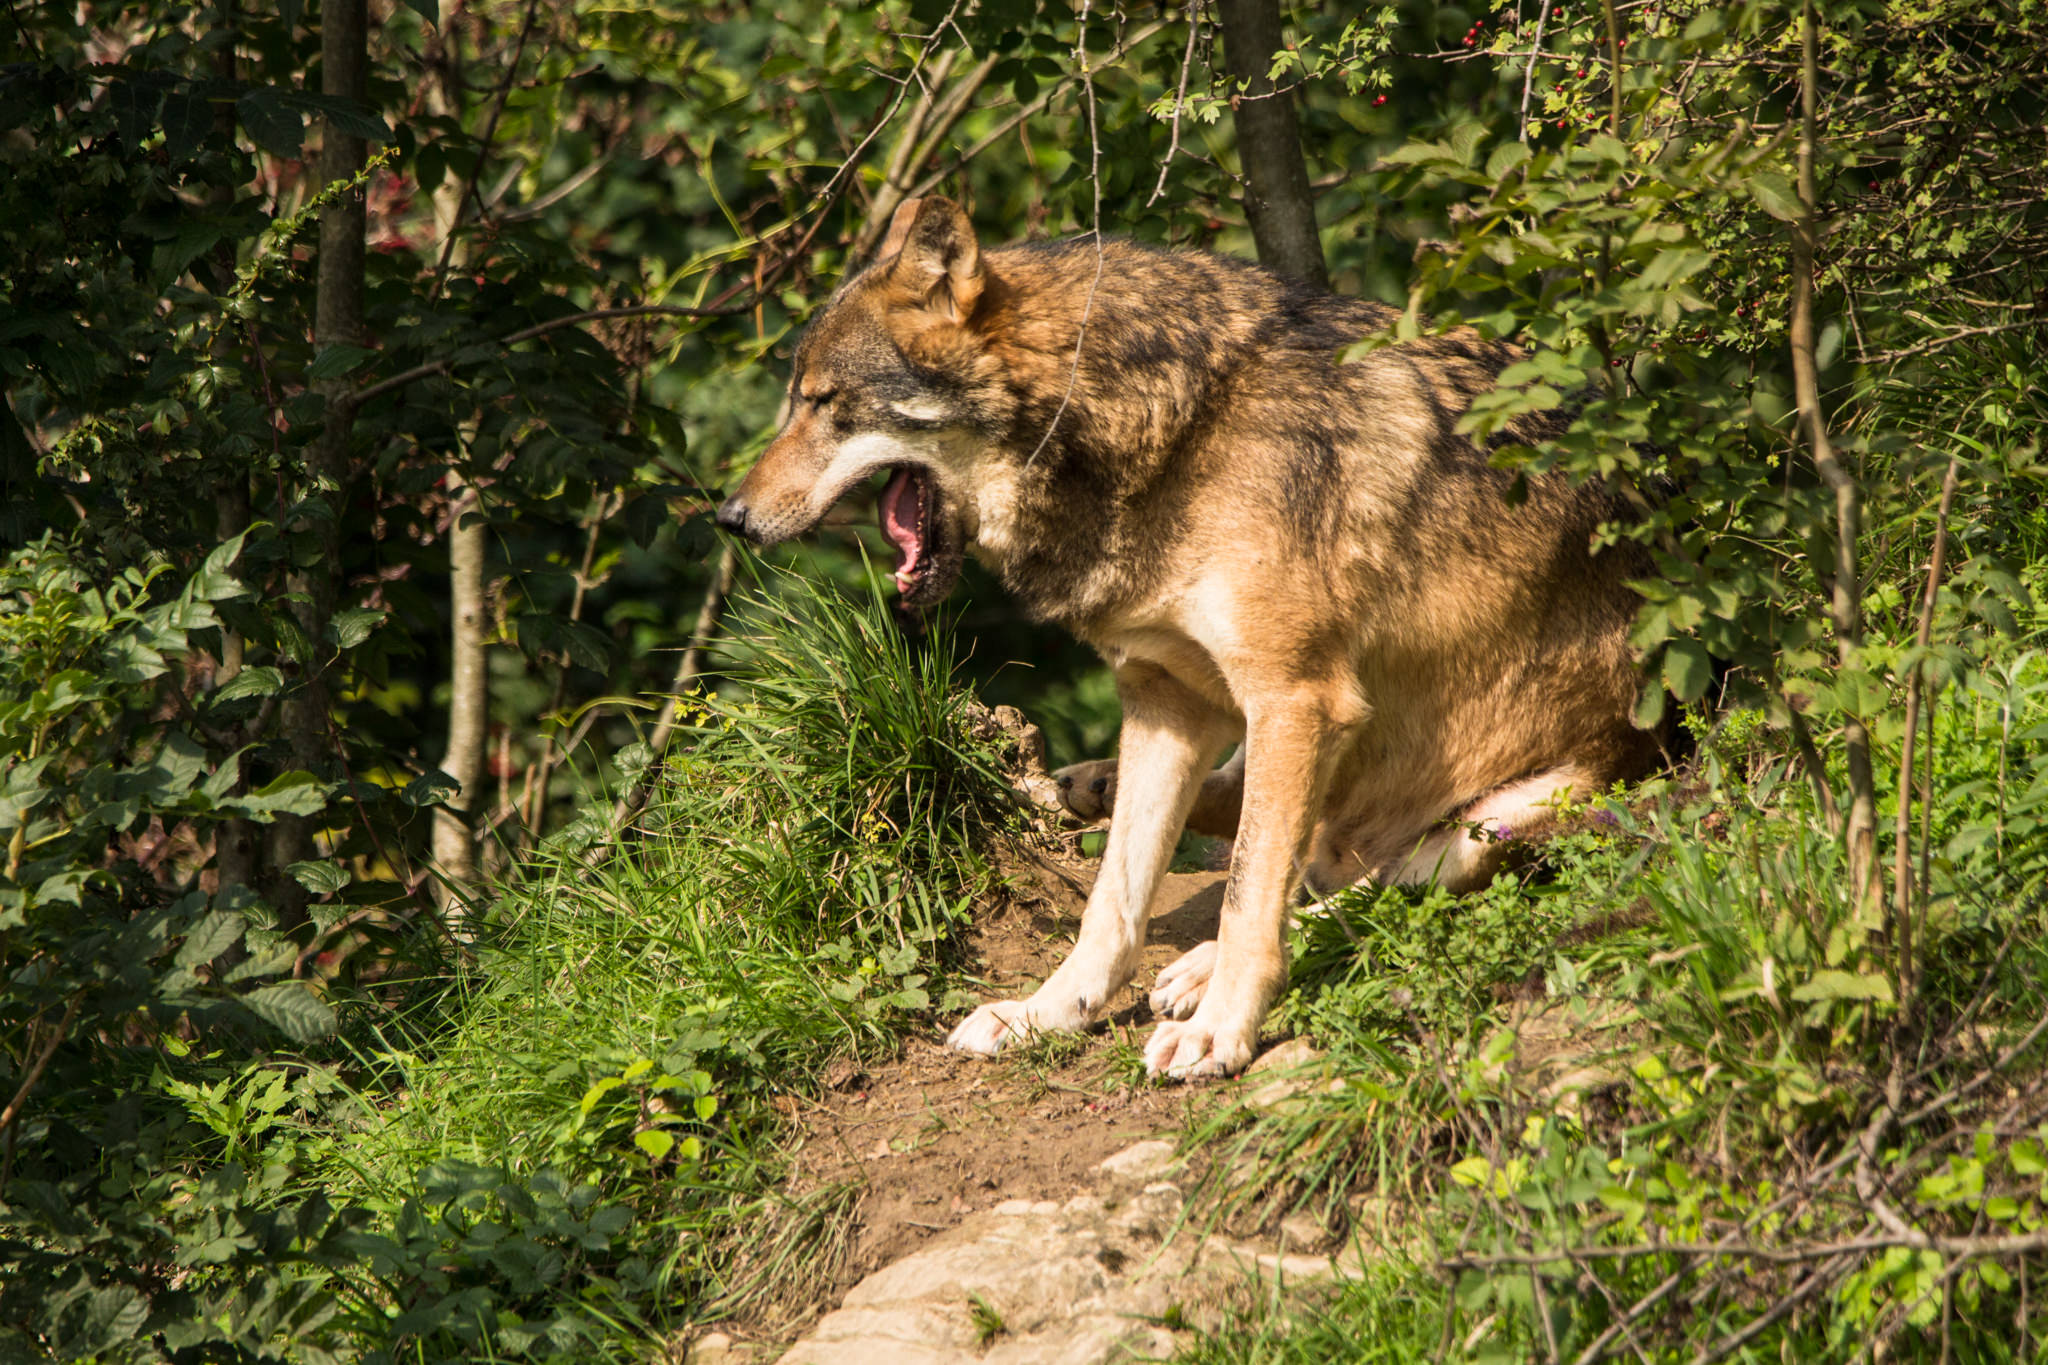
1162 453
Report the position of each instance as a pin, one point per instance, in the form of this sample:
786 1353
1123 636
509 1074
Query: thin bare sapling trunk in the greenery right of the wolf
1846 603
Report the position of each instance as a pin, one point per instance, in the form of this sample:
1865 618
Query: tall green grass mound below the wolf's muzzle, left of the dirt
579 1133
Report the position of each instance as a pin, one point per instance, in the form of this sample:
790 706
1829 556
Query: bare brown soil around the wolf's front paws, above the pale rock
933 1135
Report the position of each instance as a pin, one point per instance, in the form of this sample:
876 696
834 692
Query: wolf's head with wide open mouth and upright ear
890 378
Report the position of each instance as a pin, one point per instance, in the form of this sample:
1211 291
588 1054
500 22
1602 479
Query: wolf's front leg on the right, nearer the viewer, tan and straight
1291 740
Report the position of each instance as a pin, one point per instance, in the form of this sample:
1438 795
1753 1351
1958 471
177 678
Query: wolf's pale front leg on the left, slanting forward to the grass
1170 740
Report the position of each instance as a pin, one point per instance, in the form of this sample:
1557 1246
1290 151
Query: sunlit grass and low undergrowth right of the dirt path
1656 1096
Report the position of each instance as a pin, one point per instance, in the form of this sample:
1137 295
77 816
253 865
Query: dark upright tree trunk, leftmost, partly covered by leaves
337 318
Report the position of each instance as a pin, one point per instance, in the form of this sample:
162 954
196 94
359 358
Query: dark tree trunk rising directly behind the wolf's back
1279 202
